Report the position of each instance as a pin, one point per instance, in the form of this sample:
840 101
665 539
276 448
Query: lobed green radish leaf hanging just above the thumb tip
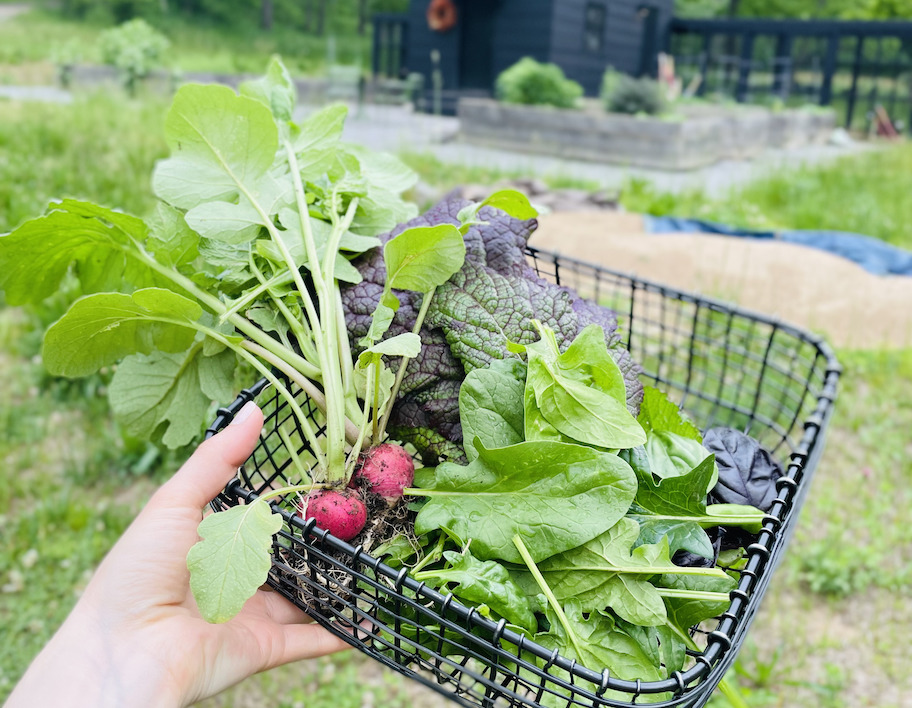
171 391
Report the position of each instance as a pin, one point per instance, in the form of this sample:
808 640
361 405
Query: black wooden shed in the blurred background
582 36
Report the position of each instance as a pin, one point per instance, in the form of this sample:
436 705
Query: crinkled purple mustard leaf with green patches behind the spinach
474 319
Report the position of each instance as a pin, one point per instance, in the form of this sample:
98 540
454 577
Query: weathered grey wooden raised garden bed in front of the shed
700 135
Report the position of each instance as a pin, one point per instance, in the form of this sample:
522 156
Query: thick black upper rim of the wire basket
711 664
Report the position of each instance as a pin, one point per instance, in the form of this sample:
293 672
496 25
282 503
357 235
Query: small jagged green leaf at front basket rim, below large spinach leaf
484 582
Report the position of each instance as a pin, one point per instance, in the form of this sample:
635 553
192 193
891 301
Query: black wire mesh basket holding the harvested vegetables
723 365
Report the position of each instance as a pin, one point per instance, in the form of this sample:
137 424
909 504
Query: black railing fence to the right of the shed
855 67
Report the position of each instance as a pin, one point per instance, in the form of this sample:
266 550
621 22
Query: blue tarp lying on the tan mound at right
873 255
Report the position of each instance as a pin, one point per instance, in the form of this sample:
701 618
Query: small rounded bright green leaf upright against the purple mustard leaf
423 258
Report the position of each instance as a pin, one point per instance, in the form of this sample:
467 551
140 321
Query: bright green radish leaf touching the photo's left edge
102 244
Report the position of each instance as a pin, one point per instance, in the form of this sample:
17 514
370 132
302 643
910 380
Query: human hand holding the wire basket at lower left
136 638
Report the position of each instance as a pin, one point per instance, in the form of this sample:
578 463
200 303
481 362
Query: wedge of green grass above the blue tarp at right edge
869 194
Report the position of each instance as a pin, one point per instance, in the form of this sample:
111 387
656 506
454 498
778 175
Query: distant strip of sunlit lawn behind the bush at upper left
195 45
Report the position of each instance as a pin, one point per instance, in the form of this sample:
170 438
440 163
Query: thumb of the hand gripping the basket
214 463
